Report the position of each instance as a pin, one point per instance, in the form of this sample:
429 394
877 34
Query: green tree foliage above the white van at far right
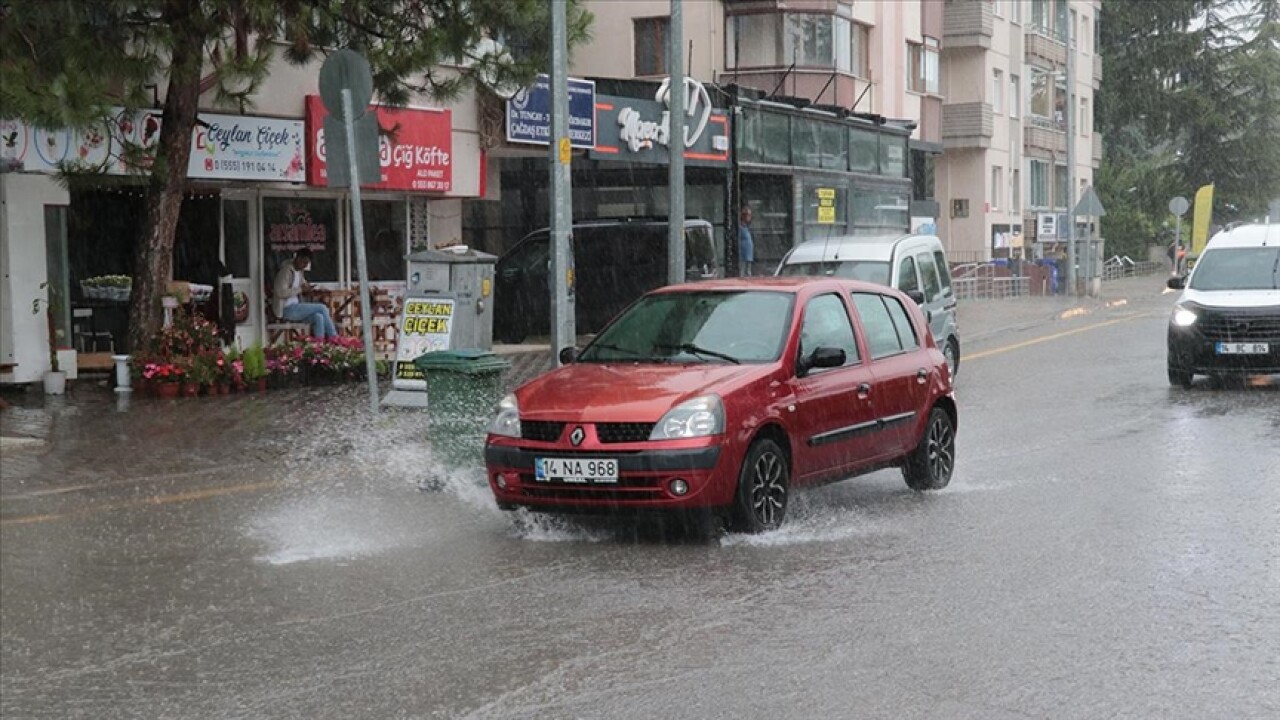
1191 97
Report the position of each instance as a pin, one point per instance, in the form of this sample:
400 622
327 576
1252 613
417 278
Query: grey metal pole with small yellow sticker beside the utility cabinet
564 332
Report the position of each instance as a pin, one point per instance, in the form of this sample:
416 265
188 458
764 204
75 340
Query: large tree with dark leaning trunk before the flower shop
67 63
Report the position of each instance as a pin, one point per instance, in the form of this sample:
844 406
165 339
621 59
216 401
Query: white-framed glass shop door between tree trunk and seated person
241 254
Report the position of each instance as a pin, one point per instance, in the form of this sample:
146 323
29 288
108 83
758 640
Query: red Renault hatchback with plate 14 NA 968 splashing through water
726 397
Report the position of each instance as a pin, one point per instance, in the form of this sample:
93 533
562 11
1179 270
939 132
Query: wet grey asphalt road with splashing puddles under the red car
1110 548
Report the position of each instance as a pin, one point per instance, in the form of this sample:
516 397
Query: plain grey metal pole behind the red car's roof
676 144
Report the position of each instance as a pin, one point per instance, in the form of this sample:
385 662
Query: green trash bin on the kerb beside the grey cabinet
463 390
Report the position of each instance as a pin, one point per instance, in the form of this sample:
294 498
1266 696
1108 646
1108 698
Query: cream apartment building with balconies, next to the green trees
1008 121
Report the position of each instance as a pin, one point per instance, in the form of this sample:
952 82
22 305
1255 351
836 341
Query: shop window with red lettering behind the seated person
291 225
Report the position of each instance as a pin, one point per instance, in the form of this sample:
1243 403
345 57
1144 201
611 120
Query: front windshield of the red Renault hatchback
697 327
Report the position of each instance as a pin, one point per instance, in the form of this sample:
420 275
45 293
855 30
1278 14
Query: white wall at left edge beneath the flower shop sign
24 336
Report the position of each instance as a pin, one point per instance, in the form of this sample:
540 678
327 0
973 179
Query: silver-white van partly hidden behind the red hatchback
915 265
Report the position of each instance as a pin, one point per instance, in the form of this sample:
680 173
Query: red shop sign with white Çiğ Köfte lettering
422 158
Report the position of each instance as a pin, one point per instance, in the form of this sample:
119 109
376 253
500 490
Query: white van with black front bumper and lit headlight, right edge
1227 321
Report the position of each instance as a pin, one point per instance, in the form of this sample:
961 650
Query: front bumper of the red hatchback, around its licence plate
644 482
